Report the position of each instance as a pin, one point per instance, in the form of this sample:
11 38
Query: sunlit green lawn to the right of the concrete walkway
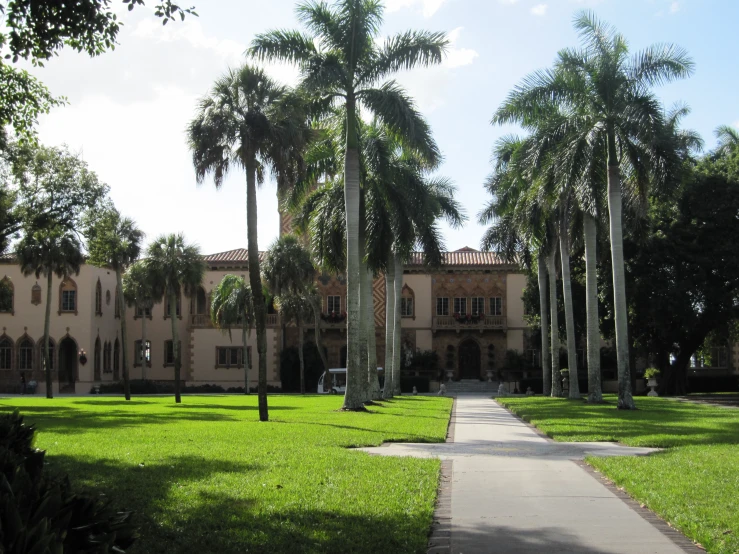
693 484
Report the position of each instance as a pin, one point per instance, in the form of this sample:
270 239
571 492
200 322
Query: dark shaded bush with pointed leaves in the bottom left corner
40 513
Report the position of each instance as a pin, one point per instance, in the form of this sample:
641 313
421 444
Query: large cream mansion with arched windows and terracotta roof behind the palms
469 311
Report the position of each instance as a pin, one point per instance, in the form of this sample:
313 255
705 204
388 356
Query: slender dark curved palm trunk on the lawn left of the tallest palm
255 281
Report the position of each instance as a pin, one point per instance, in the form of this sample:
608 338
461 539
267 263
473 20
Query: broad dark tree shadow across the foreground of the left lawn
212 521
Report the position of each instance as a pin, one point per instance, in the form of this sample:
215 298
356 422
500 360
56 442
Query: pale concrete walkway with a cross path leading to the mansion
515 491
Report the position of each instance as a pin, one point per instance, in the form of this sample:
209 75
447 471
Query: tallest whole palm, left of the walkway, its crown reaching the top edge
342 64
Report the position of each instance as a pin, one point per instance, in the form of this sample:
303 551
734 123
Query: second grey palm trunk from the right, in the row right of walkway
595 393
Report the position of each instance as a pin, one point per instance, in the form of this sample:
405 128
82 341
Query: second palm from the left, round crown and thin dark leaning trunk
114 241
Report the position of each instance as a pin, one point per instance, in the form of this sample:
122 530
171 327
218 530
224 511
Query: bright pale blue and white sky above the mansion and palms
128 109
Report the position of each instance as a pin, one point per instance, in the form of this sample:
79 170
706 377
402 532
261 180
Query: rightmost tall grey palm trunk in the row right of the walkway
625 399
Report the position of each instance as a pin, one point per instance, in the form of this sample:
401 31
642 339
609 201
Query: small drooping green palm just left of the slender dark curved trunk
231 307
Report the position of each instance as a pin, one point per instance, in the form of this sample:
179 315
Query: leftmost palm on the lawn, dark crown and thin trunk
49 252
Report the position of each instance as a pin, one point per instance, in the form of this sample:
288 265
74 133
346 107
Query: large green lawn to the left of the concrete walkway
205 476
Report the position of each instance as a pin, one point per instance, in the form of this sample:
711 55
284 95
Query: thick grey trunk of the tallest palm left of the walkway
353 398
